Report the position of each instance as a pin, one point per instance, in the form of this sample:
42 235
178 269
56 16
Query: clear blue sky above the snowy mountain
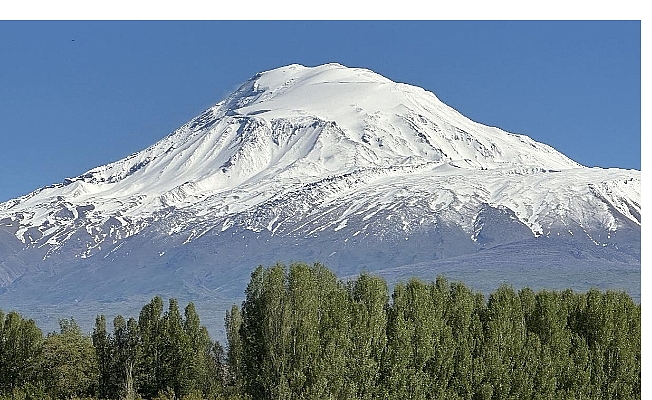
75 94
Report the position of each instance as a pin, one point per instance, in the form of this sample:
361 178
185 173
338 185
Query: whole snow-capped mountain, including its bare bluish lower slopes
329 163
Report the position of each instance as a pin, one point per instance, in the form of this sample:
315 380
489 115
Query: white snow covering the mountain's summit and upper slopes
324 137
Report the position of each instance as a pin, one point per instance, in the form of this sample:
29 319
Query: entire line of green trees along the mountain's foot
301 333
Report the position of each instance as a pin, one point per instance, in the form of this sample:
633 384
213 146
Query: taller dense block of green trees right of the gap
303 334
